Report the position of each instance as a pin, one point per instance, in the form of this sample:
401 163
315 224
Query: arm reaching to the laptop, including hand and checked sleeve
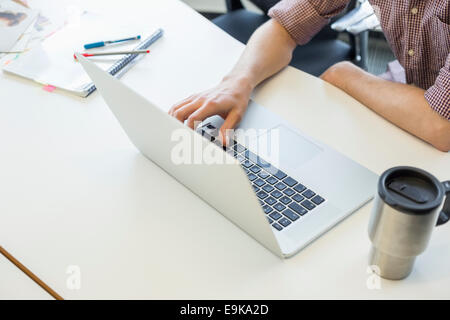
268 51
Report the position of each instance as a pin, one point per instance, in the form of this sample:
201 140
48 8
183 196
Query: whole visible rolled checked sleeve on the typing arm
303 19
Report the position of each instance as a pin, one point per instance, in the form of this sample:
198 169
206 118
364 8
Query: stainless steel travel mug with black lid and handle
407 207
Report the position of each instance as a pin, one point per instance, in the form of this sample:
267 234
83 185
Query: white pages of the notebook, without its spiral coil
52 62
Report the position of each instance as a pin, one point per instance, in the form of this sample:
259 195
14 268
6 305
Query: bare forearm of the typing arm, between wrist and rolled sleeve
267 52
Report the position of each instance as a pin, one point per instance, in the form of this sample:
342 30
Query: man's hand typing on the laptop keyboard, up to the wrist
229 100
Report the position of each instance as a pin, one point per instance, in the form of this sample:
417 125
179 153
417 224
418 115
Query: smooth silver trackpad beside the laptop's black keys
286 147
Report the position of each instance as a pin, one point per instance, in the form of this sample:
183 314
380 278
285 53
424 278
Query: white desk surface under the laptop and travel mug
76 192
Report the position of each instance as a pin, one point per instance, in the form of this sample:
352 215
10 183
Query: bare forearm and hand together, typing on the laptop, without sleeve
267 52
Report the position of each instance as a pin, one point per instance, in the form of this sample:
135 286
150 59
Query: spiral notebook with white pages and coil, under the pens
52 64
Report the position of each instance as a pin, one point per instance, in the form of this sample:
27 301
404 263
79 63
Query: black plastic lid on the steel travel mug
410 190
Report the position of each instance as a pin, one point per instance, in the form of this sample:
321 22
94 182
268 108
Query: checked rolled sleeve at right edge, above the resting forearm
438 95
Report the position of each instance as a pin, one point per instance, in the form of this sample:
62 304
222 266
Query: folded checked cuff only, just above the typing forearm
299 18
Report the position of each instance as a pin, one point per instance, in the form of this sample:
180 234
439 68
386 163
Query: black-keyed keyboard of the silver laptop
283 199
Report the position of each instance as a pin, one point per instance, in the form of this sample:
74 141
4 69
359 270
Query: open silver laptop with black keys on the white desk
283 205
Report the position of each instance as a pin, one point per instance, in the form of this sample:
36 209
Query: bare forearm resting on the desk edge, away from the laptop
404 105
